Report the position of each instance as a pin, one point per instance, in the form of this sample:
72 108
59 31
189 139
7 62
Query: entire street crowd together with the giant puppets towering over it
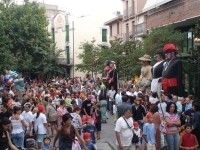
72 110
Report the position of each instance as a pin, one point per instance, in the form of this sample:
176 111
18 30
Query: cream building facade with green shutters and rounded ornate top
68 32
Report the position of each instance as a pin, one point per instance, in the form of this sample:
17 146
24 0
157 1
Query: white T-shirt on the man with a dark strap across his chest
126 133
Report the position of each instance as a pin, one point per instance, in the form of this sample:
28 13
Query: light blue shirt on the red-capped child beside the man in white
150 130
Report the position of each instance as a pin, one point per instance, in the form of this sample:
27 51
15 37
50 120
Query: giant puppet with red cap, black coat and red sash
172 80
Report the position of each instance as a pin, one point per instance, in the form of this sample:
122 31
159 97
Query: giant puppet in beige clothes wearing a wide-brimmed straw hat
146 75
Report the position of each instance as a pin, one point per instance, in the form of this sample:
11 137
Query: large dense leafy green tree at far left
24 37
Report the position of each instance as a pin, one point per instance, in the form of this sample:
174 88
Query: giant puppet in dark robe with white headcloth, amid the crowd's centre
113 76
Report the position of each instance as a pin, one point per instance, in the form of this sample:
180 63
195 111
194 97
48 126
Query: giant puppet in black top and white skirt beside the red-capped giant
157 69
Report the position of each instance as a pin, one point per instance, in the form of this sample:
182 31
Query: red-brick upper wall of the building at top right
187 9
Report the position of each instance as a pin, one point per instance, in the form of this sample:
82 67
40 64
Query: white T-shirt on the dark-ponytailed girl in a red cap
39 123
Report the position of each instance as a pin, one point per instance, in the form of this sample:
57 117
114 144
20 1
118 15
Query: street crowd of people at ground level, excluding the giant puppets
75 109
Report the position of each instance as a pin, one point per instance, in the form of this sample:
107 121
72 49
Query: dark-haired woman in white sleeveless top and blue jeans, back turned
17 122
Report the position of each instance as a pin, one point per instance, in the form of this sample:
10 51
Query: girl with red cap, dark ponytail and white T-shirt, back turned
40 125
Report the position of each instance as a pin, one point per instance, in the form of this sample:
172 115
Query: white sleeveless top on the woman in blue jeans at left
17 125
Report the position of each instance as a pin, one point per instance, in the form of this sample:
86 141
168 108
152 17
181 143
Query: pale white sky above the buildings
86 7
